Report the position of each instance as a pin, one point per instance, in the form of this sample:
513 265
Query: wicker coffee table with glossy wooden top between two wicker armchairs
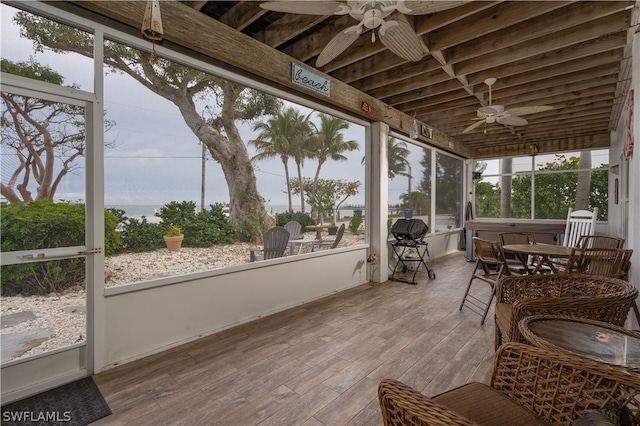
596 340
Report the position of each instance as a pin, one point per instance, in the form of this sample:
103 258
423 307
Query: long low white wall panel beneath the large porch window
149 320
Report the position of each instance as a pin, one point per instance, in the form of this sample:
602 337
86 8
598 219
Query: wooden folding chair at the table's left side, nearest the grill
490 265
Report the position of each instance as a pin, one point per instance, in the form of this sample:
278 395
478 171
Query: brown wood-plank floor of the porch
317 364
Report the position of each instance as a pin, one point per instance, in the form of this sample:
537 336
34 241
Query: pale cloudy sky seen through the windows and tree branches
150 138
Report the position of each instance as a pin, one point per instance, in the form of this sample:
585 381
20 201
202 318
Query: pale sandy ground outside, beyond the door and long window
60 318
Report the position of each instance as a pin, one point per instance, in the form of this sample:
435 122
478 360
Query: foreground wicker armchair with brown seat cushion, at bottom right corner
529 386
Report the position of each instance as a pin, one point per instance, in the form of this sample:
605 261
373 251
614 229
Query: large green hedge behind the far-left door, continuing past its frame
42 225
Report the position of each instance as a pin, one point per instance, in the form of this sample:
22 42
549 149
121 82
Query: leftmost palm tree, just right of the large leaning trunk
275 139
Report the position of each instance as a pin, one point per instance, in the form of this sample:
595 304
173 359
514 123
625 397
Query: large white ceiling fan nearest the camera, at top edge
396 35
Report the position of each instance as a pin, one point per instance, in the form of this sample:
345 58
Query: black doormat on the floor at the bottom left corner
78 403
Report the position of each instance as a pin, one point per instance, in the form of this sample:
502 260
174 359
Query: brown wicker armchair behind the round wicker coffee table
575 295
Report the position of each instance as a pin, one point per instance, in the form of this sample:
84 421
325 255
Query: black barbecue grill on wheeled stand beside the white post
410 249
